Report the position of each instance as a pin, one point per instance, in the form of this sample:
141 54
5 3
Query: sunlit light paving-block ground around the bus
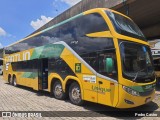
25 99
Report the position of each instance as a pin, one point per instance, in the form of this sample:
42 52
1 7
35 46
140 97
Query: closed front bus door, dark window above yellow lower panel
107 84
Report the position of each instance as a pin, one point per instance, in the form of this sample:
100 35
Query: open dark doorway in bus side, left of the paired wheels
43 74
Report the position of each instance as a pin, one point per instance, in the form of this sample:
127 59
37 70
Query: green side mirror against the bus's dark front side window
109 65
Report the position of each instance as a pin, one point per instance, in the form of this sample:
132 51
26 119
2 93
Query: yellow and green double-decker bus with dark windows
99 56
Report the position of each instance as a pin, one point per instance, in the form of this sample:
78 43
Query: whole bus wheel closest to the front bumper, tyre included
75 94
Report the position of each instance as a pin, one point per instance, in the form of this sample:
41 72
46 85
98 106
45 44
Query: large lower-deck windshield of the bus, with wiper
136 62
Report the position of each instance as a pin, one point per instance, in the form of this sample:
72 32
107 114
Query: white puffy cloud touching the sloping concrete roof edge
40 22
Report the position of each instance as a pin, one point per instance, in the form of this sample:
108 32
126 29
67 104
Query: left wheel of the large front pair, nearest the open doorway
58 91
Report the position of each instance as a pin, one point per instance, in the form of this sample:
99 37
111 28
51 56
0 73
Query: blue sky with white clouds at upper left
19 18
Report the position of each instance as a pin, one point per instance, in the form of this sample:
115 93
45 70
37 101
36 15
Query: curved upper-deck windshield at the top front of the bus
125 26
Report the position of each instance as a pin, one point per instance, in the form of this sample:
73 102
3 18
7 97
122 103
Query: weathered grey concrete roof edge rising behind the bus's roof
81 7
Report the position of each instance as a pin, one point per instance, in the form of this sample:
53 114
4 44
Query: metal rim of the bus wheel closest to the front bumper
76 95
